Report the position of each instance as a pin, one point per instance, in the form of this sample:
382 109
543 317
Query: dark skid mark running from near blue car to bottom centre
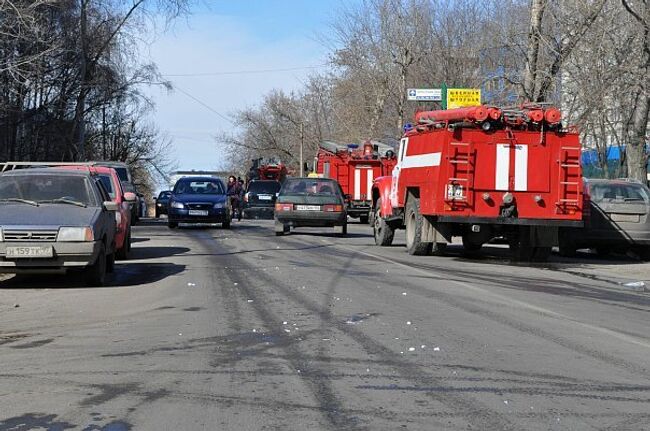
331 406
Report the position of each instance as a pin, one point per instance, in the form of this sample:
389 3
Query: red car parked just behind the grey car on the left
124 200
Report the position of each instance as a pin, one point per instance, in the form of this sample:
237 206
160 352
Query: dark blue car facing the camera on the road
199 200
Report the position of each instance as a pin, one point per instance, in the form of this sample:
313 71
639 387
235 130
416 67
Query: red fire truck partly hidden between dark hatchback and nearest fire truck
355 169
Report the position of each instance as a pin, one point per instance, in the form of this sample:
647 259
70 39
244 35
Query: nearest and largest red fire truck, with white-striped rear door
480 173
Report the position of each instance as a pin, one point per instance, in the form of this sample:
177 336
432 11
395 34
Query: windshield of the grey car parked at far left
40 188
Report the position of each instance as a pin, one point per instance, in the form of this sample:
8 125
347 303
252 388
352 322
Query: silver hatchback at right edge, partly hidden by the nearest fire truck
617 219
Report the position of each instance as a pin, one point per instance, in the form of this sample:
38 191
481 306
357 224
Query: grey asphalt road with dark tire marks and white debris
239 330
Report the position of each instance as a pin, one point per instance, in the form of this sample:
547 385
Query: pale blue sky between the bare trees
227 36
